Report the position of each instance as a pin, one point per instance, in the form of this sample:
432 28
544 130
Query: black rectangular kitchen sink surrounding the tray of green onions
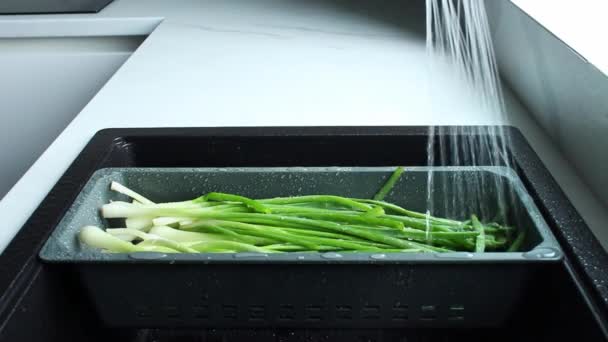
41 302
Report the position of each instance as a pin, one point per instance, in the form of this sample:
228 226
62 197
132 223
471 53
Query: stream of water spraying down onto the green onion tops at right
459 37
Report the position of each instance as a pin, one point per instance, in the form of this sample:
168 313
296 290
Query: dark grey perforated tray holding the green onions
301 289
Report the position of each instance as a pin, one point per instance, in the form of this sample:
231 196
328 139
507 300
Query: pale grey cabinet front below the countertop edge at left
44 83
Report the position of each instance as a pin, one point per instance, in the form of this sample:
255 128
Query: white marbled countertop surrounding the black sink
262 63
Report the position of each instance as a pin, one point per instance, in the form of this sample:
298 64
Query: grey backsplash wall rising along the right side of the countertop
567 95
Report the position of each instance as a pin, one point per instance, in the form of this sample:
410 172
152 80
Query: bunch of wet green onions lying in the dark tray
228 223
